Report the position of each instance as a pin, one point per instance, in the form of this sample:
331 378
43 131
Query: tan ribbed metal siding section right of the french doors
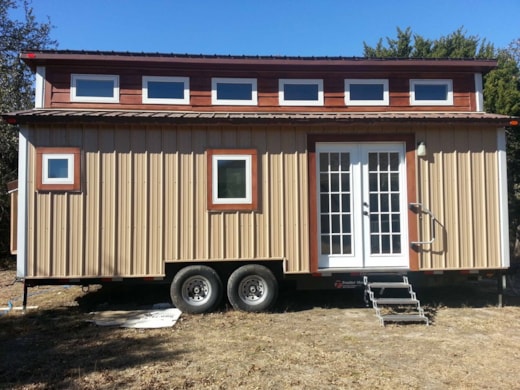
458 182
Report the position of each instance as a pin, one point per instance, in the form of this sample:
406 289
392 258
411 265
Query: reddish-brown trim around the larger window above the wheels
254 180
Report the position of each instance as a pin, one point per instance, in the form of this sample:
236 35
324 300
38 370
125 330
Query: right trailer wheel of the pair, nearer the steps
252 288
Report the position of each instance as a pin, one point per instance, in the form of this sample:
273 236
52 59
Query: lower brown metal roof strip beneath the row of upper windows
133 116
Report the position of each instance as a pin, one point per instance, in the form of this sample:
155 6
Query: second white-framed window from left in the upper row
166 90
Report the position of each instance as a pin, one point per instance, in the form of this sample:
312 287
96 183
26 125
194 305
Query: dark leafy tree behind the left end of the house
16 89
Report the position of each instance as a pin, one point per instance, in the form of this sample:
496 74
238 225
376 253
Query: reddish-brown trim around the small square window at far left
75 186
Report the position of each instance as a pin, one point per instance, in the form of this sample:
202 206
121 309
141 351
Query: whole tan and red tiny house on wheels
224 175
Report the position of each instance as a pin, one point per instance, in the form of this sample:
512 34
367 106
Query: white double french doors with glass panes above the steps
362 205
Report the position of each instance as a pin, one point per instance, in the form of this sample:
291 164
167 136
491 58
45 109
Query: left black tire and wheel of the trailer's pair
196 289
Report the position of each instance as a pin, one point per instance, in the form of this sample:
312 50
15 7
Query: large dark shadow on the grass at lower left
53 347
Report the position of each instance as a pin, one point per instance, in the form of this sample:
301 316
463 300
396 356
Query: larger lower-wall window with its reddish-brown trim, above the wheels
232 179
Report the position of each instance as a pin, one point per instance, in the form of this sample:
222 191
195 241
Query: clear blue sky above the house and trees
268 27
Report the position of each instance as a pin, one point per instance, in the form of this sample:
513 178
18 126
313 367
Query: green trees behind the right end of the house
501 86
